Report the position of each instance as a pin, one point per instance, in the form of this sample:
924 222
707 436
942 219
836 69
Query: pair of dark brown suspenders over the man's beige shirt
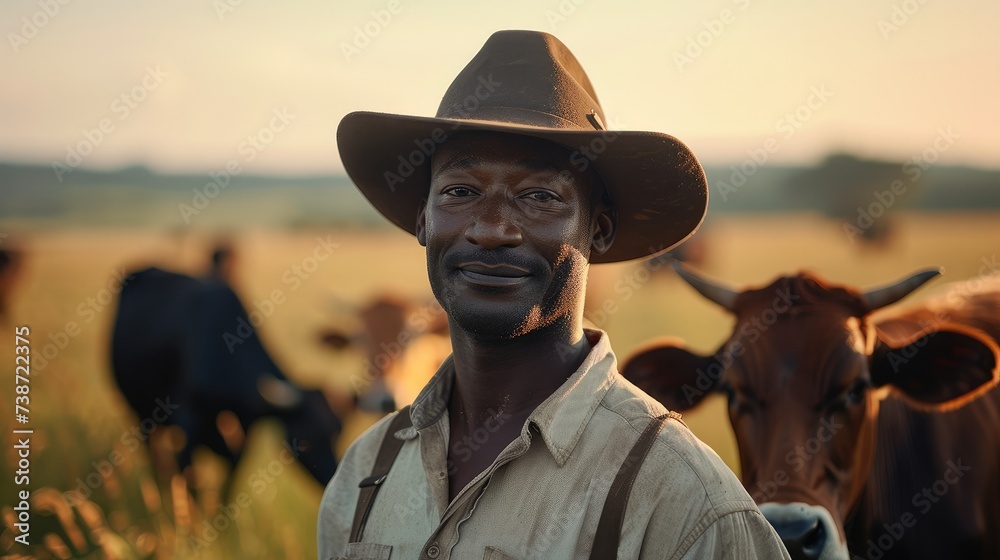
612 517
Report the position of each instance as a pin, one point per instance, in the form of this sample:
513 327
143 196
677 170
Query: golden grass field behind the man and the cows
79 419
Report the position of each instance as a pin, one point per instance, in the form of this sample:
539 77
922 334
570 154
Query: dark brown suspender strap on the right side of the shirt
609 528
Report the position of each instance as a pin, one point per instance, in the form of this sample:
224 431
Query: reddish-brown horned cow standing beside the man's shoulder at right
876 437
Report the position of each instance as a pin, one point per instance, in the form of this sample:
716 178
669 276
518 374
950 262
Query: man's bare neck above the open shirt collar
511 378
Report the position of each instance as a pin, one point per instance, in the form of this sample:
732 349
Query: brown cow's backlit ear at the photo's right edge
939 368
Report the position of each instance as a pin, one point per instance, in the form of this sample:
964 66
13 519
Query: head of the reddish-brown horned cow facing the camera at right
804 371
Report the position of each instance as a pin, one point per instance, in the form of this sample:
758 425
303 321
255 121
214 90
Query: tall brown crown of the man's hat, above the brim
528 78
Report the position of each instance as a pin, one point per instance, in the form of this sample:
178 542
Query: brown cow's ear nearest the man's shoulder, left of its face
672 375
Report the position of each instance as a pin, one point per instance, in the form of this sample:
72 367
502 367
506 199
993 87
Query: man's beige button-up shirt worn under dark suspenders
543 496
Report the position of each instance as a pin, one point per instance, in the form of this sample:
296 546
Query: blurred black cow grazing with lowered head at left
185 353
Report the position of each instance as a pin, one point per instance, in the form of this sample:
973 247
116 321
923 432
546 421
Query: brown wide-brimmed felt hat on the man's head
529 83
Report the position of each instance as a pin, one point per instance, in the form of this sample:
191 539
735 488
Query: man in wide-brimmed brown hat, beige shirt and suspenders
527 443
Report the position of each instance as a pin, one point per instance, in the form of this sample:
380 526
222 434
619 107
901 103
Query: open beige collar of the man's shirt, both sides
561 418
